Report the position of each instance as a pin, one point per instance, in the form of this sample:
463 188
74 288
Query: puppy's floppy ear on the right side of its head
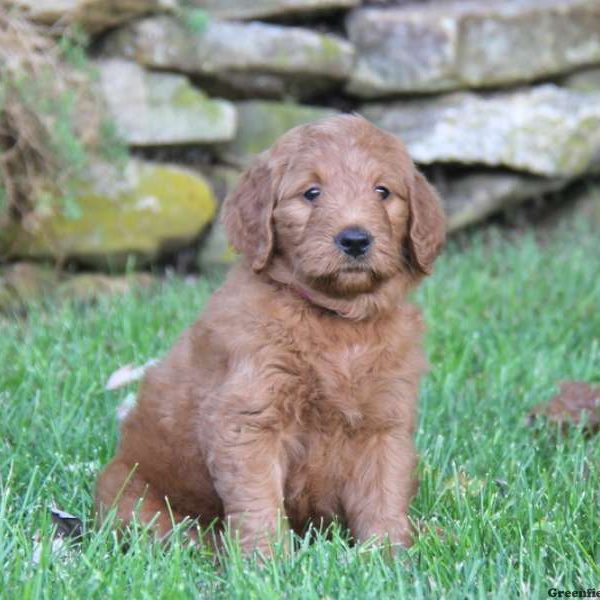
427 224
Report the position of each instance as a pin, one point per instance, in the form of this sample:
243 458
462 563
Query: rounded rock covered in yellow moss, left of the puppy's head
141 212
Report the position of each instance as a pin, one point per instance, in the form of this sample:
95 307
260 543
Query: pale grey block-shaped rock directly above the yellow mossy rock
153 109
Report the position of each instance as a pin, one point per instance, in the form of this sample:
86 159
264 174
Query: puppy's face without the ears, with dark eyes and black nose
342 211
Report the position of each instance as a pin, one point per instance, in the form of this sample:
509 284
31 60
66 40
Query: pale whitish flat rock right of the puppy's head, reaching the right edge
545 130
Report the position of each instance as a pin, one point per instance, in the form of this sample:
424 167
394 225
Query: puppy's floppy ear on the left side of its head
247 214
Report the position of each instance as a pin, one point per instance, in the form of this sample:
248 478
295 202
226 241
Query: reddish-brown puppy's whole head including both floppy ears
341 204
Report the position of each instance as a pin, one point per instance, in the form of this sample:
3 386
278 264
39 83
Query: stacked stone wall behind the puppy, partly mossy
499 99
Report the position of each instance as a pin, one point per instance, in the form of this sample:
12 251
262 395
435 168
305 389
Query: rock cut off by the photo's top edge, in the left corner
91 15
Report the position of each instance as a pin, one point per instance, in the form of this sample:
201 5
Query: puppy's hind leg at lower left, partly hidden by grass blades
120 487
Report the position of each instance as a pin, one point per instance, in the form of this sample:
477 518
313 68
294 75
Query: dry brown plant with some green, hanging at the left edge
51 120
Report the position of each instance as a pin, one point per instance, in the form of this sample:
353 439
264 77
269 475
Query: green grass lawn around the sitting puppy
519 508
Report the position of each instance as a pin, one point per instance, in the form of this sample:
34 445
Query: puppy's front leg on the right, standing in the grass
376 496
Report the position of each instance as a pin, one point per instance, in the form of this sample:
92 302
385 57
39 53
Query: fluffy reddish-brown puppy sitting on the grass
292 399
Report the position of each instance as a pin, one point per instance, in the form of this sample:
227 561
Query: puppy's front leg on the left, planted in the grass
248 475
